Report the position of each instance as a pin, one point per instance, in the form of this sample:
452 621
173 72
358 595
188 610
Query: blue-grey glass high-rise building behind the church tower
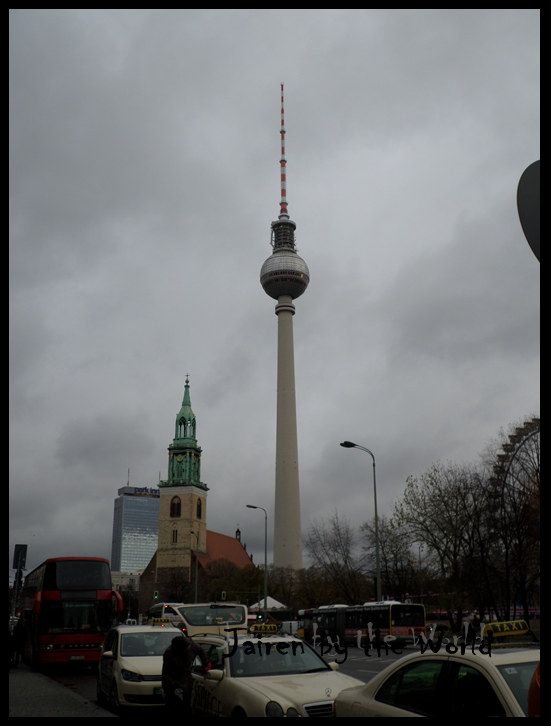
135 528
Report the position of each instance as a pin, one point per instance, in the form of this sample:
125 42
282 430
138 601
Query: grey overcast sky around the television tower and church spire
144 176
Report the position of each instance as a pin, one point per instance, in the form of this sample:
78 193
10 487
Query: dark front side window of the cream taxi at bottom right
416 687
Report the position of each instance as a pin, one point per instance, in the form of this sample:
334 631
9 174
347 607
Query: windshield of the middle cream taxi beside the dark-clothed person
297 658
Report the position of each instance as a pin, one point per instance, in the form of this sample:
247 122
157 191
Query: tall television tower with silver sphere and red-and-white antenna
285 276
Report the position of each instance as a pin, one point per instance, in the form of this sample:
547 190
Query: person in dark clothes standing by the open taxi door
177 679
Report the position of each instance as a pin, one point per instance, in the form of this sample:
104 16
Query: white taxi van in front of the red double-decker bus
131 664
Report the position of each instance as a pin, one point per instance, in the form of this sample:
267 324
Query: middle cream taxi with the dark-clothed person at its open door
264 674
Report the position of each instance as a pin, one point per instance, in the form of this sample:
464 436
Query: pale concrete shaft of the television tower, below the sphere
287 527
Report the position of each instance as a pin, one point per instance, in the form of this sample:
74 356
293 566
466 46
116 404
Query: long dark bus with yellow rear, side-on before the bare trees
342 622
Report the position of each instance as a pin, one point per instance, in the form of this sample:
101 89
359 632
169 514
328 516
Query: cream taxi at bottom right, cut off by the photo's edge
442 685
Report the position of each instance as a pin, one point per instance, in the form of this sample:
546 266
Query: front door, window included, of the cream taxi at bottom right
416 689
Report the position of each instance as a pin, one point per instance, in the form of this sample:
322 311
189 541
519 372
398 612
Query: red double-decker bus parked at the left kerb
67 608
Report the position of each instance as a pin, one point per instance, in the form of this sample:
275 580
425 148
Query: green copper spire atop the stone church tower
184 455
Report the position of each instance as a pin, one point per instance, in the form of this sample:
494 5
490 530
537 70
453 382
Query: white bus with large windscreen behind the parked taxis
195 618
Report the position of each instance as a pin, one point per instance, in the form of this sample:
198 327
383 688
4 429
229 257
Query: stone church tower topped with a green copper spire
183 501
